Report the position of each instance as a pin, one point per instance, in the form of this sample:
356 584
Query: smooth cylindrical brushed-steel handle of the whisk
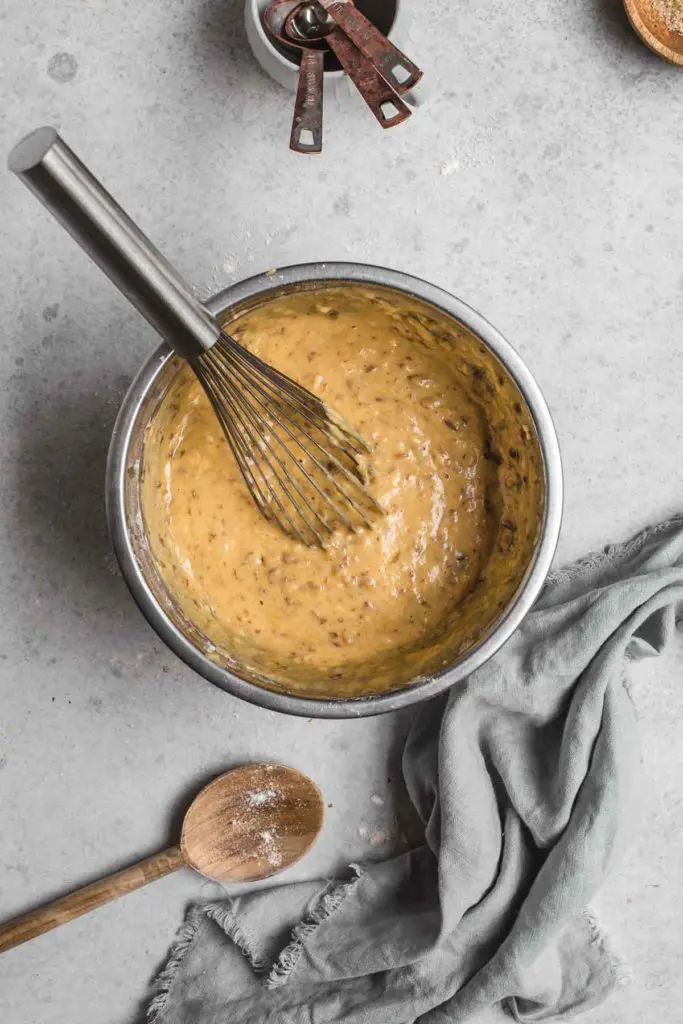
54 173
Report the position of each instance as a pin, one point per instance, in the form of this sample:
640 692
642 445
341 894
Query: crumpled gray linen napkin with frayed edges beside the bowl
525 780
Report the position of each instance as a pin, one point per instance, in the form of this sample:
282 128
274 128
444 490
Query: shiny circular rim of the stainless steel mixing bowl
420 690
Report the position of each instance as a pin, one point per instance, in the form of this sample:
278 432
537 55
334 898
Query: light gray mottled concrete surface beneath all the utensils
543 184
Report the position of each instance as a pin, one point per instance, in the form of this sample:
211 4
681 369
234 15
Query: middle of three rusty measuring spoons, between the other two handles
310 23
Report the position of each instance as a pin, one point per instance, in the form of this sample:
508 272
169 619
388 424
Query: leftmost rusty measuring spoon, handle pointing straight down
307 134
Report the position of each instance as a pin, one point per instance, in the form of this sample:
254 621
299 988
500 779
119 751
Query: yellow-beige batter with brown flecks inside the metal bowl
319 619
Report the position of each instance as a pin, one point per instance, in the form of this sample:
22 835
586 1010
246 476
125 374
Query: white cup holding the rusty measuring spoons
285 70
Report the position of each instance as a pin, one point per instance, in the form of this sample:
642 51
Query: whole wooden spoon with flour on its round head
248 825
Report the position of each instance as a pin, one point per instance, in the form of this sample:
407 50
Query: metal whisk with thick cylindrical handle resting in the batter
302 462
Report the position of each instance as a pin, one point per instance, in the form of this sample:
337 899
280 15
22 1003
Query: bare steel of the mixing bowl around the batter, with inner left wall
127 528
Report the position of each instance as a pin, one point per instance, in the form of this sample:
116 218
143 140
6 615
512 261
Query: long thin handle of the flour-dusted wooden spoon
28 926
